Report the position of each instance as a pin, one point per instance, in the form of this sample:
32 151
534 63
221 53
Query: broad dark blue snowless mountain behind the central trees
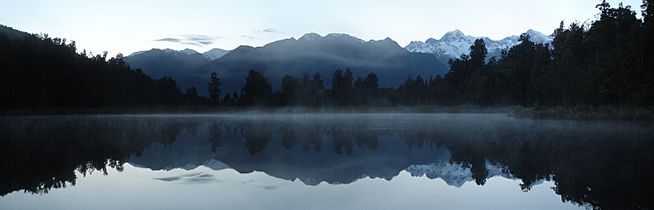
313 53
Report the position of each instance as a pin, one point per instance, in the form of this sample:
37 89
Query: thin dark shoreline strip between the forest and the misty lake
617 113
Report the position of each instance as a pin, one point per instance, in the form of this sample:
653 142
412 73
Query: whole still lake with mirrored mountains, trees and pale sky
323 161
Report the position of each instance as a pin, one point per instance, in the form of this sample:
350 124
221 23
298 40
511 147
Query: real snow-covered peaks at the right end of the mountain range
455 43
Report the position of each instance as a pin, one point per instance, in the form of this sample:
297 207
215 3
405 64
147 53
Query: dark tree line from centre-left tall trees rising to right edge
607 62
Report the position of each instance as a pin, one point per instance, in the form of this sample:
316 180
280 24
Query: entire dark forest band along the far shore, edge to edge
609 61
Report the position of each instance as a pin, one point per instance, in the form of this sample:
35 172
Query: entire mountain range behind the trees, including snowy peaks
313 53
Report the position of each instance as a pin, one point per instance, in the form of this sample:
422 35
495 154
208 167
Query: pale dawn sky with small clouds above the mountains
123 26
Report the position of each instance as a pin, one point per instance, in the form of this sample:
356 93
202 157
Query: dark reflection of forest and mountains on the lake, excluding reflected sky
604 165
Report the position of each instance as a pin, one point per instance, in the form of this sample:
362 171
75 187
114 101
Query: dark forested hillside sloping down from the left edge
38 71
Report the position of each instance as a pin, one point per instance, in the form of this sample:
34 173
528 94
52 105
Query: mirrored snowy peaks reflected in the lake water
454 174
